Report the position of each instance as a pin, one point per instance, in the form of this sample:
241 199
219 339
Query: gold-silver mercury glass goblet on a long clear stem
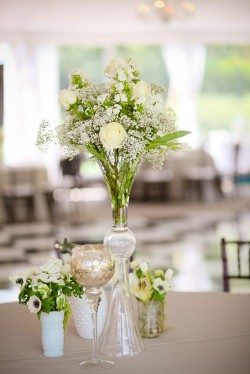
93 266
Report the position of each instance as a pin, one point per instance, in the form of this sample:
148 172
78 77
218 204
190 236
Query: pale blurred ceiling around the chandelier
112 22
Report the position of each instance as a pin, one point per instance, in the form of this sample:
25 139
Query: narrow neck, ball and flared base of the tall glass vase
121 334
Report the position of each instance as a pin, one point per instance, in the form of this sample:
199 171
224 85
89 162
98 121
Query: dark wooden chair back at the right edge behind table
241 254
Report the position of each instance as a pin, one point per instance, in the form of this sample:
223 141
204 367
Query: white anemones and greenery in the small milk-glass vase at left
47 288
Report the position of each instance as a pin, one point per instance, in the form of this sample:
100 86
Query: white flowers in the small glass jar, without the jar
147 284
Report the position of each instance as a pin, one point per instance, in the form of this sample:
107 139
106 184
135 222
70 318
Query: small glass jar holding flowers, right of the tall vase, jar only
151 318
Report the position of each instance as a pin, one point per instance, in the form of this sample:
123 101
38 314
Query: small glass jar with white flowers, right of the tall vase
150 288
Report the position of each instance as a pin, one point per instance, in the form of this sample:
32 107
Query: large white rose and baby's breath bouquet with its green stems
119 122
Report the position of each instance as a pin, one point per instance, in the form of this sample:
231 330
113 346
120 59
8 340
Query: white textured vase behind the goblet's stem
81 314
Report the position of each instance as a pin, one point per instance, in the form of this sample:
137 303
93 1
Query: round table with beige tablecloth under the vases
210 335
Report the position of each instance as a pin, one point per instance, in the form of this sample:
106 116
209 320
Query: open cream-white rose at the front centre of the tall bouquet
112 135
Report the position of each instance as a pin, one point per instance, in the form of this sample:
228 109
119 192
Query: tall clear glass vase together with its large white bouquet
119 123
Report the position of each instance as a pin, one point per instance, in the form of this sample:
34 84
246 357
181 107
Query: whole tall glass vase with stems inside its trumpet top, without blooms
121 335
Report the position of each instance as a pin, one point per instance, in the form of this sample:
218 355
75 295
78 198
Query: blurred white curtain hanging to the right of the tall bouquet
185 65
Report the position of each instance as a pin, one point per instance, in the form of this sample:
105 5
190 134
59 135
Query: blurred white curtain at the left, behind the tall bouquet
31 92
